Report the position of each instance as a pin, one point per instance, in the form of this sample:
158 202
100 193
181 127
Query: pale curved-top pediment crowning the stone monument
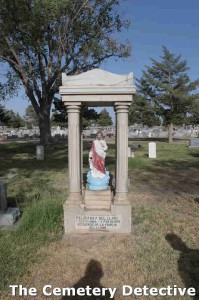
97 77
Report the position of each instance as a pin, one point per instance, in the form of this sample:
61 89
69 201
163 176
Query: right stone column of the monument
122 110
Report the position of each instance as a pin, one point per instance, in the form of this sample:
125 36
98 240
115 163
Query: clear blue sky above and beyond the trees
173 23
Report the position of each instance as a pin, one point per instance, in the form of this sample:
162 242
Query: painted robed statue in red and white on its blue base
98 177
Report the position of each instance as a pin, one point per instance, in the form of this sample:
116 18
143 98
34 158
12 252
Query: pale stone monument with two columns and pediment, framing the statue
88 211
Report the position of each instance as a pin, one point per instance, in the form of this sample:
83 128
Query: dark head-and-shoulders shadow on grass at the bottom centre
91 278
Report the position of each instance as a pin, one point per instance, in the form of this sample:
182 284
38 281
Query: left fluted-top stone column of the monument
74 152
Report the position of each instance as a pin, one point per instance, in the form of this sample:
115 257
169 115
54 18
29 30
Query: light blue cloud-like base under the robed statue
98 184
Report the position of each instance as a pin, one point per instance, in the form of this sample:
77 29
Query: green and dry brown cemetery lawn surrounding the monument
164 194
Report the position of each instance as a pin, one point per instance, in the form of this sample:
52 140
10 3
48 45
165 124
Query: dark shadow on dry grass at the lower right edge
188 262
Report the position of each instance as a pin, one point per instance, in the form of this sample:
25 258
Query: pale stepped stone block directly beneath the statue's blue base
98 199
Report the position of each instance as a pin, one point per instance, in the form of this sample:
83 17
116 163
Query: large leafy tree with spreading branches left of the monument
40 39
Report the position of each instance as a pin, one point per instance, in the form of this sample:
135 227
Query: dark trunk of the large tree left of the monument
45 126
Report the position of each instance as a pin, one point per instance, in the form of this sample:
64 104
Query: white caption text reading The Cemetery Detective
126 290
